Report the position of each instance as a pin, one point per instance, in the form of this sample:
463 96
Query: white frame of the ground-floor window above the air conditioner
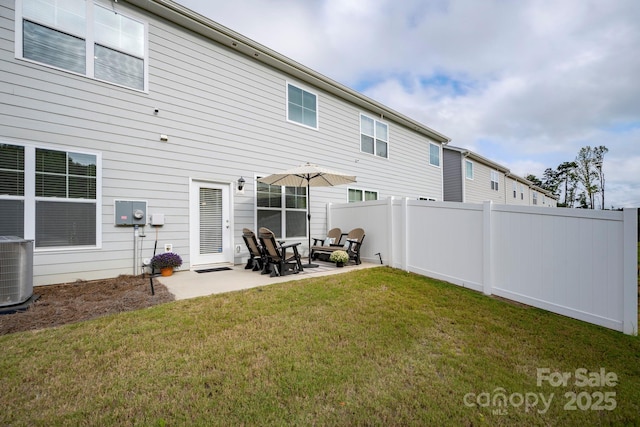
30 197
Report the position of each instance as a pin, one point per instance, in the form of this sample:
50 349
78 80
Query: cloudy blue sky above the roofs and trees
525 83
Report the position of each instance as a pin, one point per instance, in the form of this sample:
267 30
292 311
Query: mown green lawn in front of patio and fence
370 347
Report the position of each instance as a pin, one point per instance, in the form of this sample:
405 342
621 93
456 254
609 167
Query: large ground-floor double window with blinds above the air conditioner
50 196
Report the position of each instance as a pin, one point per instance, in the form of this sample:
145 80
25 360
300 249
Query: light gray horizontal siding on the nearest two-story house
225 117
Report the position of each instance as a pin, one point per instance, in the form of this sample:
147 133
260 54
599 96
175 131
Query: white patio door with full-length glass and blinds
210 224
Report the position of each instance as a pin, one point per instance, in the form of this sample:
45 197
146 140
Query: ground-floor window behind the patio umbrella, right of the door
283 210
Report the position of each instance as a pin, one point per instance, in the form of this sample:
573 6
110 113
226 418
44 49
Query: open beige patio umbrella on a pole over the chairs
308 175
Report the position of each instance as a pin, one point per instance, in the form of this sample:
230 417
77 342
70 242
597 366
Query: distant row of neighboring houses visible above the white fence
472 178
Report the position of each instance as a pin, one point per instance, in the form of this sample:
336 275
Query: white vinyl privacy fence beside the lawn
578 263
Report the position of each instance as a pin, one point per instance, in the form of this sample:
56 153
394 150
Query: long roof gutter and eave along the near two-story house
184 17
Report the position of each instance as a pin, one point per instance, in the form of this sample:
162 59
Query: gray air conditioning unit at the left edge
16 270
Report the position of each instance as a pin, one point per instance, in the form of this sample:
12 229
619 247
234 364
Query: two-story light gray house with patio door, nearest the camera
110 107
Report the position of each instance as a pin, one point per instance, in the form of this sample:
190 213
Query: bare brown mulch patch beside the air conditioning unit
84 300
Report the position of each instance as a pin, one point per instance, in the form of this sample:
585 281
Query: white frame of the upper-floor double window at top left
89 42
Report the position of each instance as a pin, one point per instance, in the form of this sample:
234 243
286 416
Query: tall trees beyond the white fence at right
577 184
